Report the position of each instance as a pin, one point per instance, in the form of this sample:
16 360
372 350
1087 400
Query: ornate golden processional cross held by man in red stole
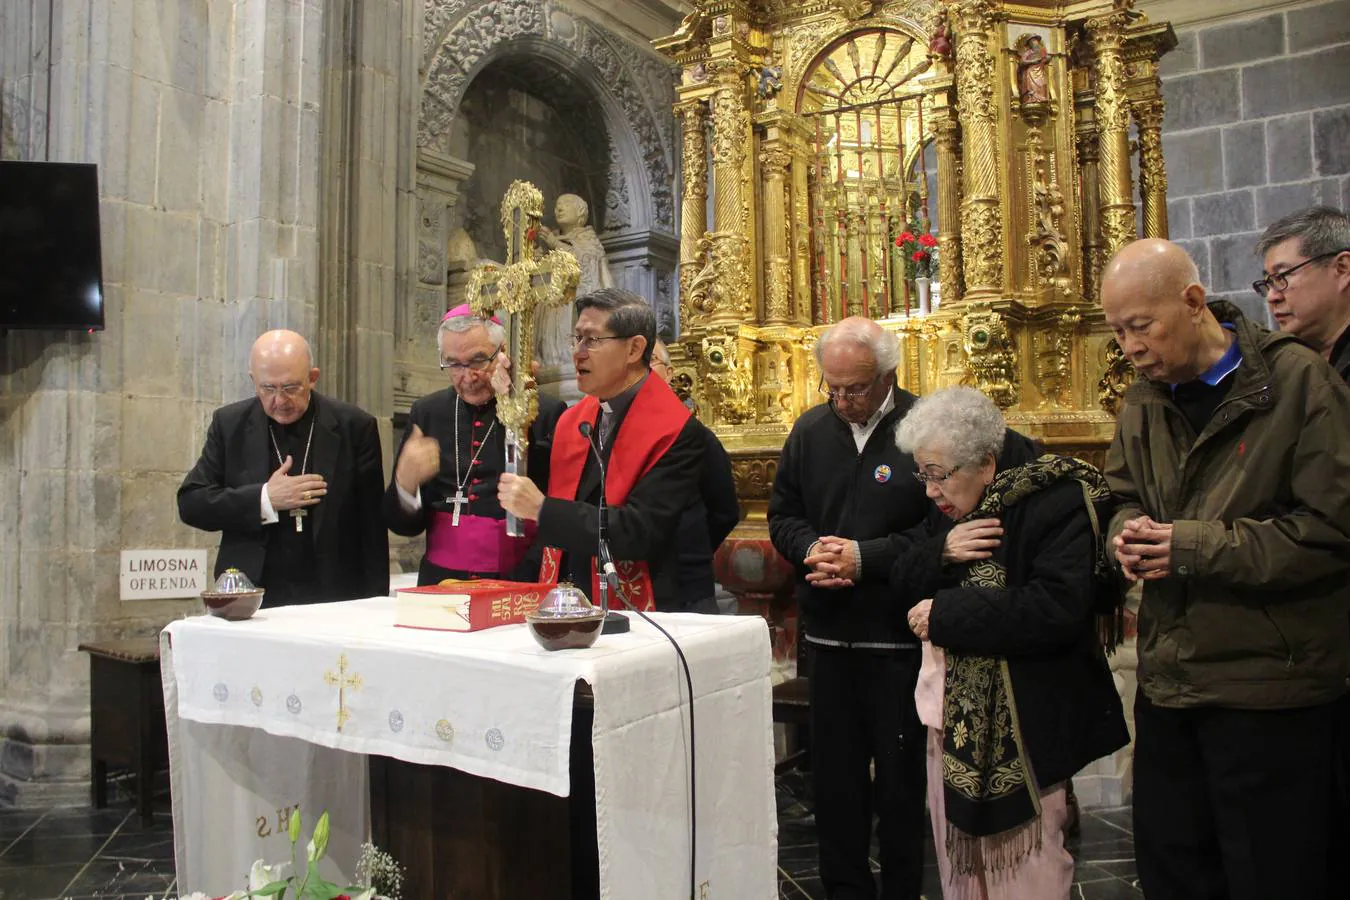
519 289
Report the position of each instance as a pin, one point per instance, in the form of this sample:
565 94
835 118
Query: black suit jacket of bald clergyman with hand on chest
223 493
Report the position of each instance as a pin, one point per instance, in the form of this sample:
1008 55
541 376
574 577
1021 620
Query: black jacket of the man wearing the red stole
642 528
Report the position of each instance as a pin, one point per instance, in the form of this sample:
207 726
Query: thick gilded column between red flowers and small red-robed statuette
982 226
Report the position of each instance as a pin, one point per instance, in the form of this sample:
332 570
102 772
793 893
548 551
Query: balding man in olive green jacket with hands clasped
1232 470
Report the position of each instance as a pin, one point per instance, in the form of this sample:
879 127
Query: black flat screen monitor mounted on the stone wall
51 264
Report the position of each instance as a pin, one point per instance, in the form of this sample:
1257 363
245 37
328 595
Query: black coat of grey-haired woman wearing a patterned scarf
1044 623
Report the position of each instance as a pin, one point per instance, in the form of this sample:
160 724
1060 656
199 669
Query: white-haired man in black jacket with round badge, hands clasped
843 496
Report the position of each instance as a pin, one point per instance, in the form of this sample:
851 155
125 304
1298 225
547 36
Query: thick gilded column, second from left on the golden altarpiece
730 246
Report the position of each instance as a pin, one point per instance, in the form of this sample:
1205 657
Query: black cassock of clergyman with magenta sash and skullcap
481 434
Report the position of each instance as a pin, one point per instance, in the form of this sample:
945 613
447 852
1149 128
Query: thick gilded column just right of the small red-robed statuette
1118 226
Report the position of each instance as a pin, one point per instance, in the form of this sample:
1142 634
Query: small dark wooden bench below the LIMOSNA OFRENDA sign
126 717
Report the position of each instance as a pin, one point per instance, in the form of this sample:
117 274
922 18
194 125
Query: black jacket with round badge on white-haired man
824 486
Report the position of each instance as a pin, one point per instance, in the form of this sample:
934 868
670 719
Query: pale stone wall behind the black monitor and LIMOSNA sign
205 121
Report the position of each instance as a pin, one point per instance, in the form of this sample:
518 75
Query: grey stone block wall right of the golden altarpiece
1258 126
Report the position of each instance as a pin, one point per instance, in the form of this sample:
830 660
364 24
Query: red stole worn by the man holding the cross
653 423
